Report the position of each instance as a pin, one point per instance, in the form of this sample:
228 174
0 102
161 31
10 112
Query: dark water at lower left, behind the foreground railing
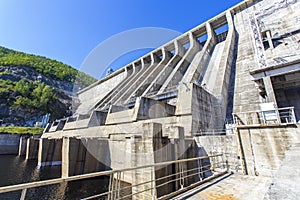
15 170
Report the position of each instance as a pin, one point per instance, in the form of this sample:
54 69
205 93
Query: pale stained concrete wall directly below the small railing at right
263 148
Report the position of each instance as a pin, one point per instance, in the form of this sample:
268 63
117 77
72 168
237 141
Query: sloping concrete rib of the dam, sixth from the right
137 83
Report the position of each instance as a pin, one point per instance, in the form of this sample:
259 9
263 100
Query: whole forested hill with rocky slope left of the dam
32 86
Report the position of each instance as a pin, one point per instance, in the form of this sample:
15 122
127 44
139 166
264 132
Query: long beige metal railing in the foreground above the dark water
150 181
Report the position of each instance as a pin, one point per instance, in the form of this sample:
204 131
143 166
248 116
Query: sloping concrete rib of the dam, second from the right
201 58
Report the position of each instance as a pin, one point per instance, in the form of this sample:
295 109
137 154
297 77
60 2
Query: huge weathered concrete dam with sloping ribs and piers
227 91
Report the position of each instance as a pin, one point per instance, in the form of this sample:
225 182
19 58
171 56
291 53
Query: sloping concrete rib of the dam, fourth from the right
166 71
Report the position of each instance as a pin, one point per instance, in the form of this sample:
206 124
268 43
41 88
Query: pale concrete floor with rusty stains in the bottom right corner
282 185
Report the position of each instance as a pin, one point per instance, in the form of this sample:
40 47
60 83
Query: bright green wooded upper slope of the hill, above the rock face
50 68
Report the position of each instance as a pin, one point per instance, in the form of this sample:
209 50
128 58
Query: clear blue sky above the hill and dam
68 30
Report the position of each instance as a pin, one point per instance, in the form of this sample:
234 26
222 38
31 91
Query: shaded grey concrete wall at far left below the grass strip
9 144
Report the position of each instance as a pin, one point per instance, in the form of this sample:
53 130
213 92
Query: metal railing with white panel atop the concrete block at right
276 116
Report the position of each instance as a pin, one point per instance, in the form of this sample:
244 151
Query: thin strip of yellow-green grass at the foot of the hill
20 130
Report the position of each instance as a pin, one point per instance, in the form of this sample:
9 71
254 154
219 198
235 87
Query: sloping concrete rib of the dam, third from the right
181 67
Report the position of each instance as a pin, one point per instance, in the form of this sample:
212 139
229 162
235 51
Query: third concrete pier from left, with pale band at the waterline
49 153
